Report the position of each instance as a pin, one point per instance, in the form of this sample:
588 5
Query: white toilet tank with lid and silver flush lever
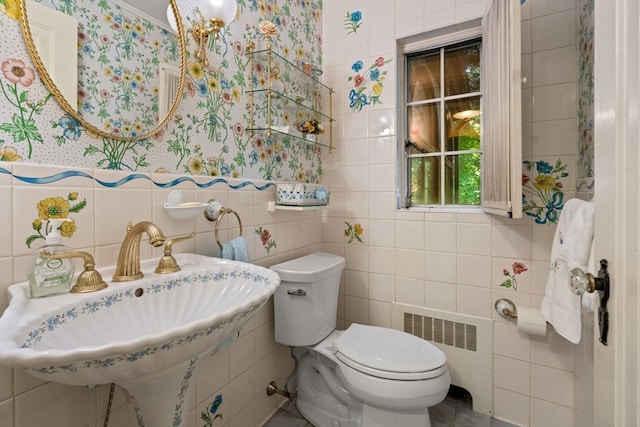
306 302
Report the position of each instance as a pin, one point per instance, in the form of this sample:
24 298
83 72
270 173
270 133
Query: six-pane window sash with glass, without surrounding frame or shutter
442 104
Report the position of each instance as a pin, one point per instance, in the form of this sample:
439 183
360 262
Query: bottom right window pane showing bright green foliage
462 179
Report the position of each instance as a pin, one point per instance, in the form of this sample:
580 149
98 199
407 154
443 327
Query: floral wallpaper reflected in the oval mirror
118 58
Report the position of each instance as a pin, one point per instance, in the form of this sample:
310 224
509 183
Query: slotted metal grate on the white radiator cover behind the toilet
442 331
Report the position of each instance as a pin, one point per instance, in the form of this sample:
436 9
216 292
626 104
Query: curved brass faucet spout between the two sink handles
128 267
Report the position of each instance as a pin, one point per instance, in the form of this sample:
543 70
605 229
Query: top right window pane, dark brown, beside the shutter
462 69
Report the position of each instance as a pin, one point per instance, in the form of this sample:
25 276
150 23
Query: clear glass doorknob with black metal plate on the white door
581 282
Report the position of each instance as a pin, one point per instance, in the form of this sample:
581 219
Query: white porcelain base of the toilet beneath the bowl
327 404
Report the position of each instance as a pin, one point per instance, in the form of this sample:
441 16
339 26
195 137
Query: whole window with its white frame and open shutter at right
462 116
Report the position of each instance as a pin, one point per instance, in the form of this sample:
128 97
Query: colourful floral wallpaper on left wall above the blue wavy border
207 136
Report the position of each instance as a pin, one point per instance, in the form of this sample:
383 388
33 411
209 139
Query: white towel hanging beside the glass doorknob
571 249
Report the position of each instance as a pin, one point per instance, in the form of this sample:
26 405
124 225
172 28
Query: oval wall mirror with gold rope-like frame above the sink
128 64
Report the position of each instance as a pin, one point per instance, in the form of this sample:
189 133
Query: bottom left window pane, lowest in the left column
425 180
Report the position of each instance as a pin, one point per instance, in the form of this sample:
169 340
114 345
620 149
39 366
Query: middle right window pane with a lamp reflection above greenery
463 124
